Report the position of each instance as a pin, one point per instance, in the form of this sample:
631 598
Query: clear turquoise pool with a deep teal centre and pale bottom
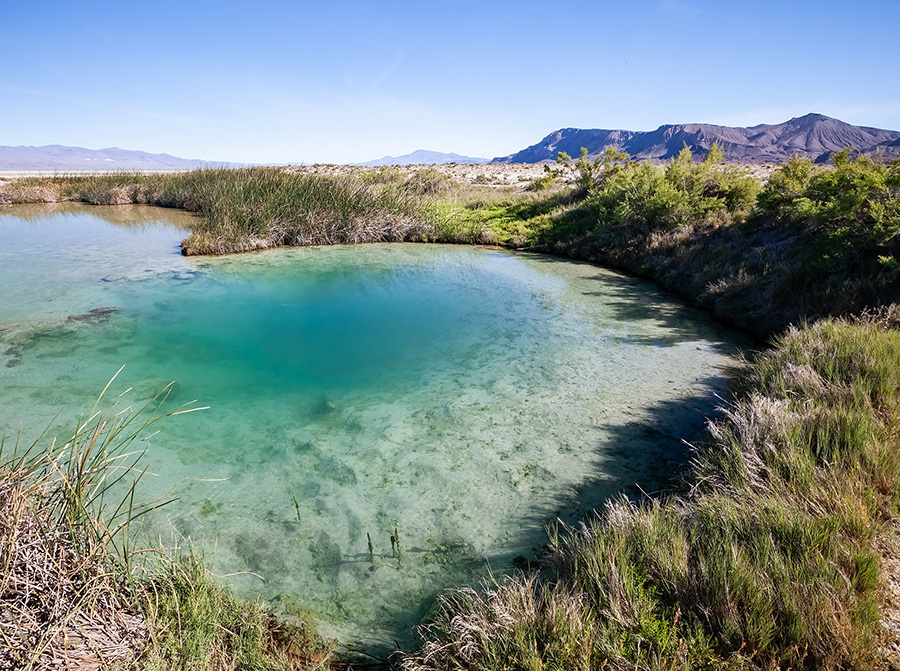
459 397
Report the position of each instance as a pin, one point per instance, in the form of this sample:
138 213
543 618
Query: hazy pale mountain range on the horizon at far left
56 157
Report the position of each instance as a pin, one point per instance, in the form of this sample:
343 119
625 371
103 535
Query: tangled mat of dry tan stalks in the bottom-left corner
62 603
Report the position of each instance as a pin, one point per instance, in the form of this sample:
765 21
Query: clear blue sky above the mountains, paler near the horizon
296 81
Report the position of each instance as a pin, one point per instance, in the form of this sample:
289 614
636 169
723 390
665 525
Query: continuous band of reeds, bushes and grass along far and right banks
771 555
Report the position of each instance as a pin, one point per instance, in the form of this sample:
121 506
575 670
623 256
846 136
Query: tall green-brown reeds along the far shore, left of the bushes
257 208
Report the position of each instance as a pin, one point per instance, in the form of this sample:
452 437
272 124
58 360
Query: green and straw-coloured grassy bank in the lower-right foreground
768 560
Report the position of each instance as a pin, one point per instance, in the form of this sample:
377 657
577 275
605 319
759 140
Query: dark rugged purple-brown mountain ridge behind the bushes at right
813 136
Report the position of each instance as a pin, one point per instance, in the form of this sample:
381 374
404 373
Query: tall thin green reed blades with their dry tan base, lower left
65 547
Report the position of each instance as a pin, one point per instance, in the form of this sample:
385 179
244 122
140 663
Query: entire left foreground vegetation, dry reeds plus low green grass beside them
72 593
